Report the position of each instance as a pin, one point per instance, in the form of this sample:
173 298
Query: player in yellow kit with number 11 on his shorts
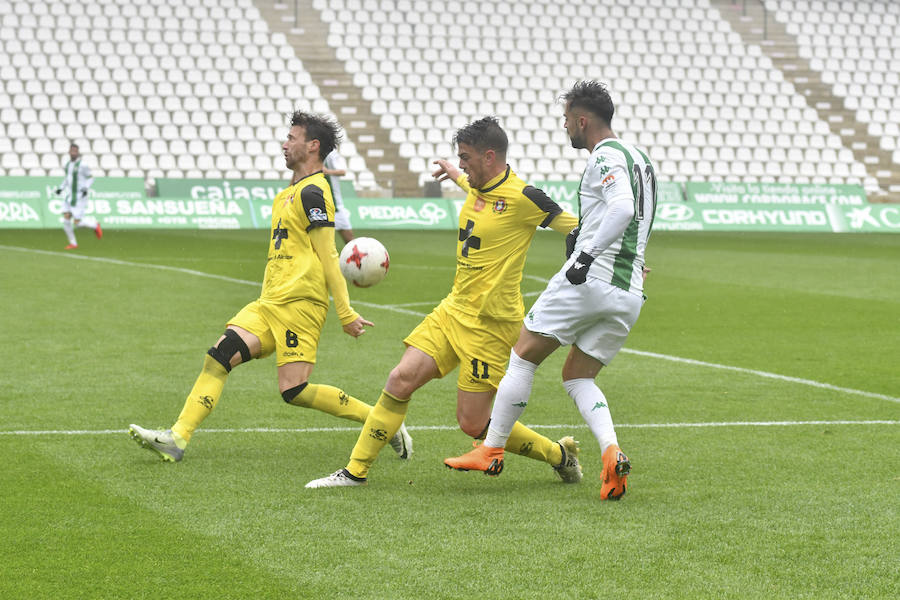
475 326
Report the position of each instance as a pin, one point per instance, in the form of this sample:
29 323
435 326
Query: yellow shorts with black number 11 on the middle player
479 346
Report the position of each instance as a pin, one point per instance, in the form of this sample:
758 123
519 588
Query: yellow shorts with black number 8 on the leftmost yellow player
291 330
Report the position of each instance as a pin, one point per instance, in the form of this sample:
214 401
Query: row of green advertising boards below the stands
122 203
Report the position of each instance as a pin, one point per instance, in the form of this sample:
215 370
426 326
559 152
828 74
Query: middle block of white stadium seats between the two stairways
703 110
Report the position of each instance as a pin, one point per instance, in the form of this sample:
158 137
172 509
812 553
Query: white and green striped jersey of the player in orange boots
618 202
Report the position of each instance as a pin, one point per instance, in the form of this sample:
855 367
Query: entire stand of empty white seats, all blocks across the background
201 88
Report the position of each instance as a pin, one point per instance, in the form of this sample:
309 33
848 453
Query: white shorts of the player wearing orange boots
595 316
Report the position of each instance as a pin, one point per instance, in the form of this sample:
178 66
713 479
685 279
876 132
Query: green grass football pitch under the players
757 398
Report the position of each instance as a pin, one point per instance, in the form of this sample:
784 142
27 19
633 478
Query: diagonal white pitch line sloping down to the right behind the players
399 309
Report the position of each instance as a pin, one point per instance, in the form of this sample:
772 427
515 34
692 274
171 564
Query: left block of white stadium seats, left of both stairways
149 89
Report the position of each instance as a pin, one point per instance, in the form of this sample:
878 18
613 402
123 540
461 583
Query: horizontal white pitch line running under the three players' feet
23 432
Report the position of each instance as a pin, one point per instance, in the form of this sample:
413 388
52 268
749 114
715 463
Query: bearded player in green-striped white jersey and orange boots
595 298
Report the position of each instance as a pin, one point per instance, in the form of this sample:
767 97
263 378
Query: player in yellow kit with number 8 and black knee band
287 319
